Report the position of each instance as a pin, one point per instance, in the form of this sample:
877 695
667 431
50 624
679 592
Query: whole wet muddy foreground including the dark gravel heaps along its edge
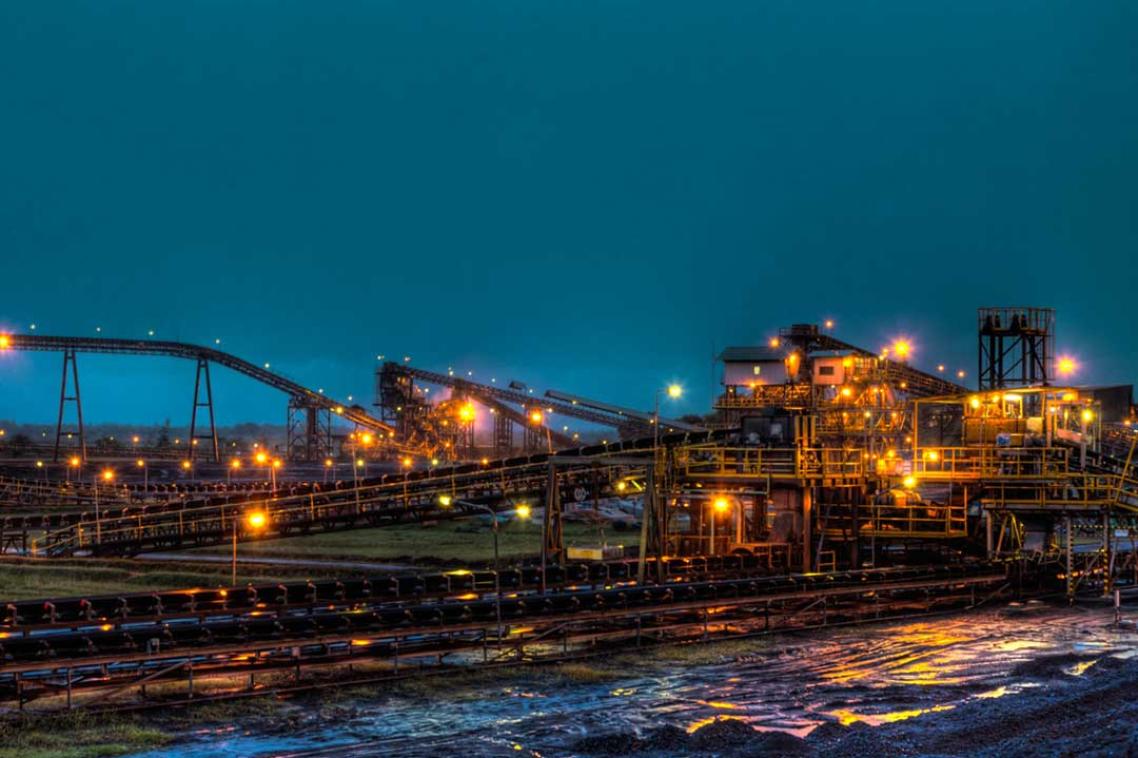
1022 680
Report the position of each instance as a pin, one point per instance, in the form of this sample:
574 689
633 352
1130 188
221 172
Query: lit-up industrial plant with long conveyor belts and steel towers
829 484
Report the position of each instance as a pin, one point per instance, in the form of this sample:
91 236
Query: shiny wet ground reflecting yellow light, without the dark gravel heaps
794 683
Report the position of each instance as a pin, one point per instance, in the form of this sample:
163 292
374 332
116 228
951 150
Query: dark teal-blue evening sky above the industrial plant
582 195
